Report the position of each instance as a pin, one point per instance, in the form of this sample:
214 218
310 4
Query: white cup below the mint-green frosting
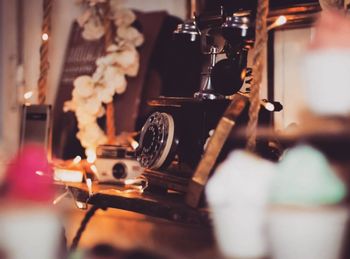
307 233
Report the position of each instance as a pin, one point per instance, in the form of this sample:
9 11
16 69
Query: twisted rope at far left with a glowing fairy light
44 51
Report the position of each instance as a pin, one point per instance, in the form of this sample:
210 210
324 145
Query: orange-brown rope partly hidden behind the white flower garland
110 123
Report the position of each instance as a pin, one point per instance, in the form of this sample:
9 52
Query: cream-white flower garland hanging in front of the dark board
90 93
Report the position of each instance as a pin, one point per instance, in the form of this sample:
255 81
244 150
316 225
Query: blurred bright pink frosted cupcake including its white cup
30 228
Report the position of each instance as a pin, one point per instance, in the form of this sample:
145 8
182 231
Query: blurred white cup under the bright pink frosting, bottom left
30 234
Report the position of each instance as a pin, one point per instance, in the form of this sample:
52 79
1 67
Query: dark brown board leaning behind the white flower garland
80 60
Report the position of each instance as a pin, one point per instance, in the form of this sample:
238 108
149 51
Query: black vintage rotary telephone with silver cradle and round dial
174 136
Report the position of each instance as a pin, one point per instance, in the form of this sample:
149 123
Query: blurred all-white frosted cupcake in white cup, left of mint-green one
237 195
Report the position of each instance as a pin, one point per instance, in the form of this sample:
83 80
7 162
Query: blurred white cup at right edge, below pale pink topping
326 81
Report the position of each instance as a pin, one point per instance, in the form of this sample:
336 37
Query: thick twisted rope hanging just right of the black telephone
258 66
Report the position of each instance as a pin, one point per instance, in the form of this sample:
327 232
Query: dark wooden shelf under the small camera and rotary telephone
169 206
